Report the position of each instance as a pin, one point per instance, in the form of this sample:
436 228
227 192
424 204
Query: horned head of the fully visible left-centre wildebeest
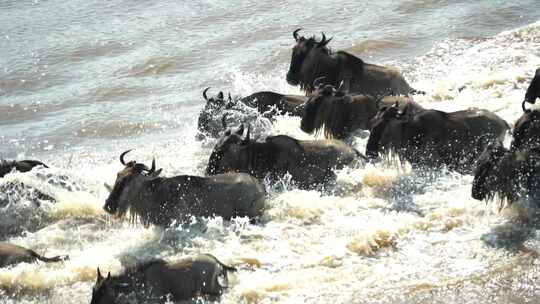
127 185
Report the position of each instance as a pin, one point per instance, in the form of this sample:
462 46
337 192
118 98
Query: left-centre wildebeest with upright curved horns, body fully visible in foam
160 201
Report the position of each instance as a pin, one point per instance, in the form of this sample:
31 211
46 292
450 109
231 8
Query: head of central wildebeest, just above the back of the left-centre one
227 152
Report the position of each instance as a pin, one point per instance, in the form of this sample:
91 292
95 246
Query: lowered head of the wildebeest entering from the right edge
485 181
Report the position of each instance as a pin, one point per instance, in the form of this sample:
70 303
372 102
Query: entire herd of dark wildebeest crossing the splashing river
343 95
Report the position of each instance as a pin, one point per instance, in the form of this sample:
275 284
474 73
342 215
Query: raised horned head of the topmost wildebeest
305 50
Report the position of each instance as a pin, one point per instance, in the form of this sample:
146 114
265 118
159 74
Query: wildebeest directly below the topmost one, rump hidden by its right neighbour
341 114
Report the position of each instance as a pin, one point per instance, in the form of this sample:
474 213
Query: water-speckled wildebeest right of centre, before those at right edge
434 138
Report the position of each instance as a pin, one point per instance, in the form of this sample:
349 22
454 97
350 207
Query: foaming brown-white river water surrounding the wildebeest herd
82 81
